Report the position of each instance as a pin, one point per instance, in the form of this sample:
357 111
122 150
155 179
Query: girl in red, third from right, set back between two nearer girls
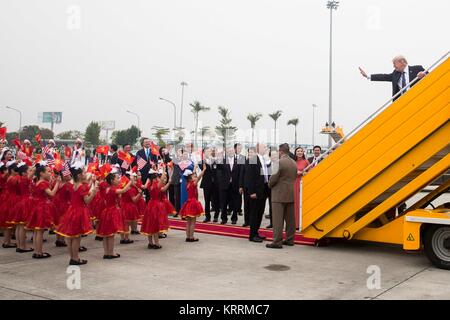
130 208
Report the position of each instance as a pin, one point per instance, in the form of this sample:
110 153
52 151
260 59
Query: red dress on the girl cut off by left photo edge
8 201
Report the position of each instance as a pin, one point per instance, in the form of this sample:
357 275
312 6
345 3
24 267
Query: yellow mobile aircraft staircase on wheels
360 188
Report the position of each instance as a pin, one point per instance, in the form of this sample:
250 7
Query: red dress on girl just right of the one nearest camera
111 218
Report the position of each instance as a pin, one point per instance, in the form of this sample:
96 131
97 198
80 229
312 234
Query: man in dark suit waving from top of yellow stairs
402 75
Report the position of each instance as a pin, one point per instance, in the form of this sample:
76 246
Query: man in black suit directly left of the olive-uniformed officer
256 179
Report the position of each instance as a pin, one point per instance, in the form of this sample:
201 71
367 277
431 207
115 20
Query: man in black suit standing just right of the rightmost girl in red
208 185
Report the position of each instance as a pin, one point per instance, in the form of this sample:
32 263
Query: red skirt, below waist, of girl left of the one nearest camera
41 215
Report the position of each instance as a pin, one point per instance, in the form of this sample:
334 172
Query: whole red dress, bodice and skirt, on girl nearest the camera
77 219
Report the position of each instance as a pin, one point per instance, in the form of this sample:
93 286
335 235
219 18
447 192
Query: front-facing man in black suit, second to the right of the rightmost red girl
228 172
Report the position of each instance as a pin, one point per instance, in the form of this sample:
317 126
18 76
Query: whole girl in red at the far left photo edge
7 201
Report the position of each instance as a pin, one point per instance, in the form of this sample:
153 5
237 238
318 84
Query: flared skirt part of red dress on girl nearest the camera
75 222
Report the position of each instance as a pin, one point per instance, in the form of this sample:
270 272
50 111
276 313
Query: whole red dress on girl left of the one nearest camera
42 208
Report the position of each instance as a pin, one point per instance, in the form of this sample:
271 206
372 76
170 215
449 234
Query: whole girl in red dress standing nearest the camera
77 219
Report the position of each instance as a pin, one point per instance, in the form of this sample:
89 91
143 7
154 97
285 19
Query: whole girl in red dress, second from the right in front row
155 220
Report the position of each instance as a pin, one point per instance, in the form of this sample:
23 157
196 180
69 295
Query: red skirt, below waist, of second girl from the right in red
152 222
